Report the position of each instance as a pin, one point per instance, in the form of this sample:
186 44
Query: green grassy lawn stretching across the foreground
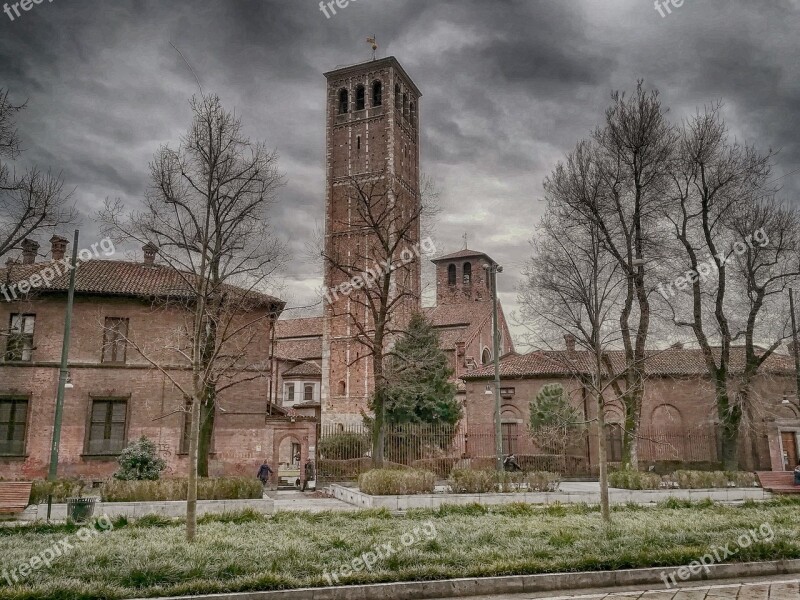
297 549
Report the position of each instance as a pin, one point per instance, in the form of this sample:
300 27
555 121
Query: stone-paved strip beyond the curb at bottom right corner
765 588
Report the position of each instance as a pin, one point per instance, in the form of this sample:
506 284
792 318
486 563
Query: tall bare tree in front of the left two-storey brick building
207 214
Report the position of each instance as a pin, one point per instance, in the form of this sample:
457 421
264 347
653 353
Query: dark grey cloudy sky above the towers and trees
508 87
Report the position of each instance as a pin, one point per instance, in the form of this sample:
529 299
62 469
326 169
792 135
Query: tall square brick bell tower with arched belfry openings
372 134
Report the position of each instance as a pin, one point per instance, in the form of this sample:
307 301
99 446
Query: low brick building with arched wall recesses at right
678 419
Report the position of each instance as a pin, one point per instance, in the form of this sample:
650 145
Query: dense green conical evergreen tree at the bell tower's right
420 390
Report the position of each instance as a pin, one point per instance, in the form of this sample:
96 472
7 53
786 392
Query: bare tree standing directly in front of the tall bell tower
377 271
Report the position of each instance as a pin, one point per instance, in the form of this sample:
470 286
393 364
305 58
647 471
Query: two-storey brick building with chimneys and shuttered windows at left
120 316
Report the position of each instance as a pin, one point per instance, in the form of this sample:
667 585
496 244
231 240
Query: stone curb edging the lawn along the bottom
512 584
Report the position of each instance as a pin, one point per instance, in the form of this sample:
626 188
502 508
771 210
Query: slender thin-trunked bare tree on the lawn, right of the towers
574 286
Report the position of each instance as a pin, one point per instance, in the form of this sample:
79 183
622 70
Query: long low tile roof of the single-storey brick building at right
671 362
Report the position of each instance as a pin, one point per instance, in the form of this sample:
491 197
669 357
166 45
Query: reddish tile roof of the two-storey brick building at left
110 278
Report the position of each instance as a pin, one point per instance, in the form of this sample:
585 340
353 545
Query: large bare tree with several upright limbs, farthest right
718 201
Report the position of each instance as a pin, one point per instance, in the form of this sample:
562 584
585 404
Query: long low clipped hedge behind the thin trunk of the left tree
222 488
